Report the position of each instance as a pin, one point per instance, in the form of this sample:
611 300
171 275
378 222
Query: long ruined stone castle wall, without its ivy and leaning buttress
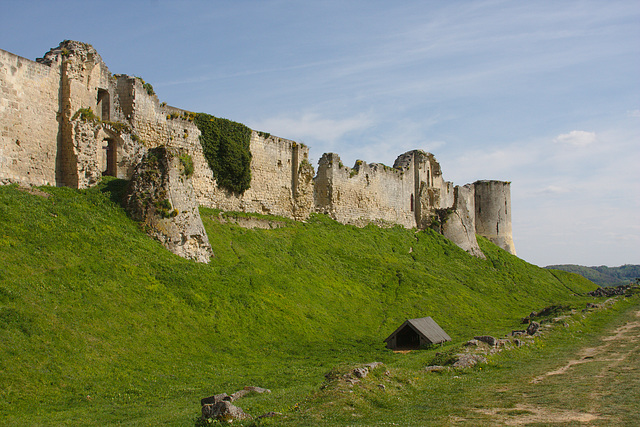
65 120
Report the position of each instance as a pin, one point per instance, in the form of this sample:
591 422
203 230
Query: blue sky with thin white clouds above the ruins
544 94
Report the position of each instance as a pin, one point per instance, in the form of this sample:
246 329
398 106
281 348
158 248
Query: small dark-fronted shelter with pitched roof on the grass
416 333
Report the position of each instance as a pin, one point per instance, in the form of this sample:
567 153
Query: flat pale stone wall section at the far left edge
28 123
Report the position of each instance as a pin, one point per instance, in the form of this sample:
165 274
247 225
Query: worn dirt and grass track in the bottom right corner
599 385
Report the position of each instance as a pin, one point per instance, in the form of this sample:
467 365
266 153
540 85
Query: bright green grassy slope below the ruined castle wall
100 324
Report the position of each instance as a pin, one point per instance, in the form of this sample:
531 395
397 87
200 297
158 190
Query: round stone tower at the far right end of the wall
493 212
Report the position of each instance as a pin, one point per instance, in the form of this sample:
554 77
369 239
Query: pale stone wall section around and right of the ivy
280 180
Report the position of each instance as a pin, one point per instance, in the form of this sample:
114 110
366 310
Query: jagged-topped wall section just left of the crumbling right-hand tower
366 193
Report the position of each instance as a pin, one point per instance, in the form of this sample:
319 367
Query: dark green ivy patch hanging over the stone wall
226 148
